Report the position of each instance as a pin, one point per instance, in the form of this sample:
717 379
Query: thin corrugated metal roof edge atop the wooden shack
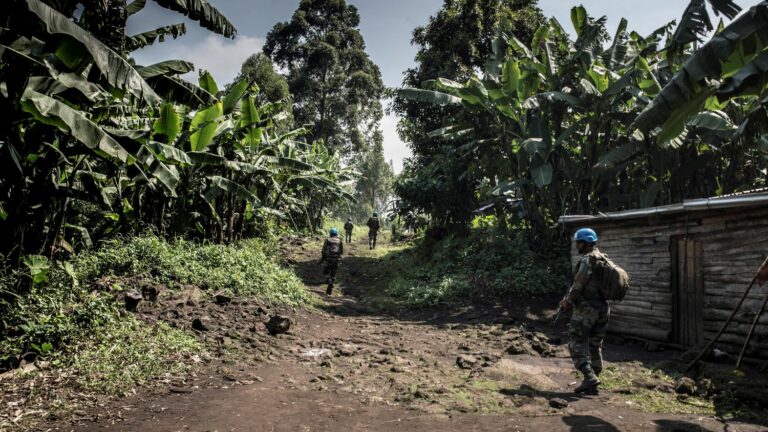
754 198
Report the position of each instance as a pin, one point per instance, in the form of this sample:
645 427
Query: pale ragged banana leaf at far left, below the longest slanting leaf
55 113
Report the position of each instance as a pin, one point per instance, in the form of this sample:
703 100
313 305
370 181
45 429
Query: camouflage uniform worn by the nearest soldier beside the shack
591 312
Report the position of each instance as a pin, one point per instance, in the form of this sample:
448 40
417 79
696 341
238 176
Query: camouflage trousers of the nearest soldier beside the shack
587 329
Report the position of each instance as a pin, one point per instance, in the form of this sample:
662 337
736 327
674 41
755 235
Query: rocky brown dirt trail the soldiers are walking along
344 366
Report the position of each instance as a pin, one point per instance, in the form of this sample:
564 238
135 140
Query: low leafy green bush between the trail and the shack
487 264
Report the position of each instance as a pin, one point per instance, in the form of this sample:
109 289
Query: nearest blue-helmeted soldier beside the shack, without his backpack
591 312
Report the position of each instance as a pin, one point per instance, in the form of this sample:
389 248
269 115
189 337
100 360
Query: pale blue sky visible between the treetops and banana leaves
386 26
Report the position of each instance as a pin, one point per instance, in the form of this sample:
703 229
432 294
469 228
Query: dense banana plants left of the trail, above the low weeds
93 145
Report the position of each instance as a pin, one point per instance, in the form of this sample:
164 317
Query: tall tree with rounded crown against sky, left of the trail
336 87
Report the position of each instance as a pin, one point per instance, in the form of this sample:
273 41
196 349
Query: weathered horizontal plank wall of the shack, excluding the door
734 242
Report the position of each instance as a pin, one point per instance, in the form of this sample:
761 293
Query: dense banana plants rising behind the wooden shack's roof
553 126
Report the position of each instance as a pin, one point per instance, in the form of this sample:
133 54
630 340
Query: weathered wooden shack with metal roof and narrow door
689 264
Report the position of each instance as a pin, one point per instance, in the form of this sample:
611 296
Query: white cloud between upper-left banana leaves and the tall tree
220 56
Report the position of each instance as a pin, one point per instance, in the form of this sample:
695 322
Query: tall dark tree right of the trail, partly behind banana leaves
455 44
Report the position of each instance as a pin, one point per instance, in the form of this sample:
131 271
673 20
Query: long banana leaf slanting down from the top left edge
118 72
